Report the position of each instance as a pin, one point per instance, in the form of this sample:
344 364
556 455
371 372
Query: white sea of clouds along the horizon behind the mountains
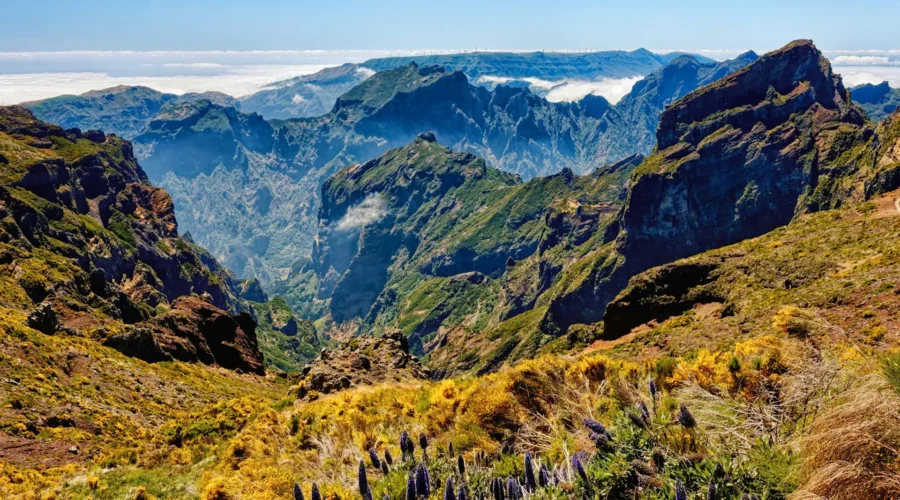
27 76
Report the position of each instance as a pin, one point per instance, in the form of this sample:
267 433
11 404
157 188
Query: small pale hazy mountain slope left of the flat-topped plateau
305 96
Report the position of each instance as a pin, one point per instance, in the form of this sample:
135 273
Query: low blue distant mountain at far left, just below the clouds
123 110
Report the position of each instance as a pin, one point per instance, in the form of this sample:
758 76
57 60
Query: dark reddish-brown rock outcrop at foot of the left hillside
196 331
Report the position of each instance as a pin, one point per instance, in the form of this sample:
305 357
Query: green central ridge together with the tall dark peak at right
477 268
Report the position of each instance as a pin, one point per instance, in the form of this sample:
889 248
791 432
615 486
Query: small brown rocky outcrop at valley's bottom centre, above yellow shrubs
361 361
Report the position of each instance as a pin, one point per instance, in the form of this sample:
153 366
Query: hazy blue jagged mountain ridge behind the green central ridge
246 188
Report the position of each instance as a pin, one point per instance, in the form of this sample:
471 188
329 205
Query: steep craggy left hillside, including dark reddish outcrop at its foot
85 236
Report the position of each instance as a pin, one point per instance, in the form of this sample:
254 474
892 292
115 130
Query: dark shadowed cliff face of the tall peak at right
735 159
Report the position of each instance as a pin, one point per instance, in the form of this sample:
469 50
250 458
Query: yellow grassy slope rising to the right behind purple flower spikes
768 380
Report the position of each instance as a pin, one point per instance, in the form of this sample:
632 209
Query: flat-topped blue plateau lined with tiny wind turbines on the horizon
550 66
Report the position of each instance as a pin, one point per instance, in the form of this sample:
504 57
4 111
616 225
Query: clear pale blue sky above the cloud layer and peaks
399 24
